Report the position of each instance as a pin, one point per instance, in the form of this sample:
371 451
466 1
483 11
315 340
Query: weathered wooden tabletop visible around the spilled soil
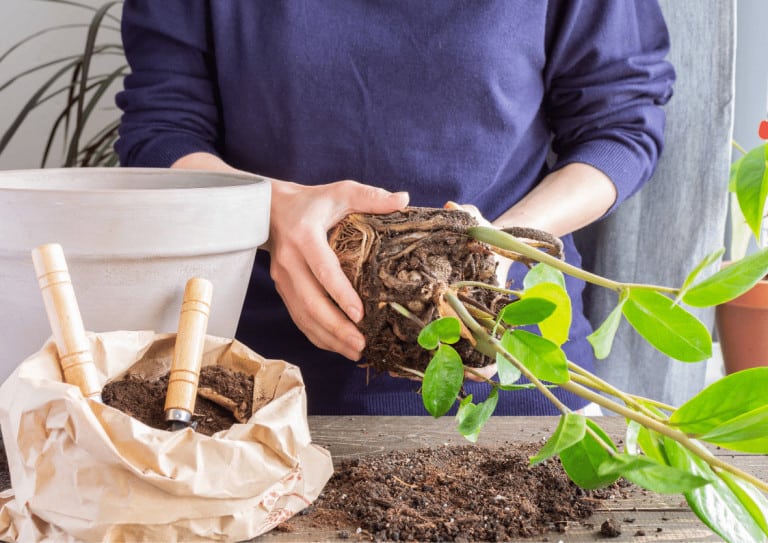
349 437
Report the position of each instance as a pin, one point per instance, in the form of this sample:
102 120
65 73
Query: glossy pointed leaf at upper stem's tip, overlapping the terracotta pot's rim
730 282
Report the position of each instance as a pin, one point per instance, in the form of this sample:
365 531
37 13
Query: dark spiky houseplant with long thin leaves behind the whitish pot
82 81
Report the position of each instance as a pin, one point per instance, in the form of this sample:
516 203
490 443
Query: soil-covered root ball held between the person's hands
409 258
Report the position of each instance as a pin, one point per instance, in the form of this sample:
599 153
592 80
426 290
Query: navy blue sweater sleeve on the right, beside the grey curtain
606 79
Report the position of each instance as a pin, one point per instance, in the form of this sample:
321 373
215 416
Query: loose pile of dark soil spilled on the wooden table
451 493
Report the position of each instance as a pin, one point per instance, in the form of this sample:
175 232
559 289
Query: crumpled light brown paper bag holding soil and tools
81 470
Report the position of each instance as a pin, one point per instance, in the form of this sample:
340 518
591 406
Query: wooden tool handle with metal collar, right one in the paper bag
188 350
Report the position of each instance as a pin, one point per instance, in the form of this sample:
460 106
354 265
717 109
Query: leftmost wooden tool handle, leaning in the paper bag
74 349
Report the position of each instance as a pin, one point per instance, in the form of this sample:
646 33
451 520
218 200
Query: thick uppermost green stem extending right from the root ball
505 241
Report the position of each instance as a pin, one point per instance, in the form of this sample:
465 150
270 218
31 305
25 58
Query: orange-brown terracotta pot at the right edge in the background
742 328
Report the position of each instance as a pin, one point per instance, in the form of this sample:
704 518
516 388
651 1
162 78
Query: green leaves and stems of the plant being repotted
667 449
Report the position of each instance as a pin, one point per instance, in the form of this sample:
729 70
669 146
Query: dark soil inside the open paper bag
144 399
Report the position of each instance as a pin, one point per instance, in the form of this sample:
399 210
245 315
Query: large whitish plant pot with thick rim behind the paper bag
132 238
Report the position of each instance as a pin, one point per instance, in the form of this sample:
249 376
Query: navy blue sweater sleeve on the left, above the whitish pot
168 102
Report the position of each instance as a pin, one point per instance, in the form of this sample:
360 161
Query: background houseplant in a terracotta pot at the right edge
742 322
